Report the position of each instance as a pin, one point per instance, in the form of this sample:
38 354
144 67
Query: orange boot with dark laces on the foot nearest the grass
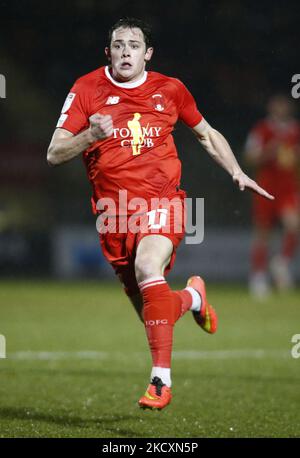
157 396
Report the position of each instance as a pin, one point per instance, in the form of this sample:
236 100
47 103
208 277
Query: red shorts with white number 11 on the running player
120 244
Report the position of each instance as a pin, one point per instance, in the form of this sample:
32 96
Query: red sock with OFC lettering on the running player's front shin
160 314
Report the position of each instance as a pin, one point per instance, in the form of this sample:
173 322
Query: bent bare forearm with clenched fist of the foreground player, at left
64 145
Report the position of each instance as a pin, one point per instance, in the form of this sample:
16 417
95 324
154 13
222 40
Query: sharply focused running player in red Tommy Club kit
121 118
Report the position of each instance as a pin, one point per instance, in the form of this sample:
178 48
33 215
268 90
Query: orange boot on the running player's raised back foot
207 317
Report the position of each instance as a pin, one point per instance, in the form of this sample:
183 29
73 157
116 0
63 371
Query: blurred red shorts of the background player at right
267 212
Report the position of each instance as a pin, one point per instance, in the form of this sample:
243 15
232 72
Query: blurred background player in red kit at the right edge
273 148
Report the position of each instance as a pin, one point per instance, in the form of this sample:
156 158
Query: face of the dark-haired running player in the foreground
128 54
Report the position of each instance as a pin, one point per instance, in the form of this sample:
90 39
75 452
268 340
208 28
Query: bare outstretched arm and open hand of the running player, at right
218 148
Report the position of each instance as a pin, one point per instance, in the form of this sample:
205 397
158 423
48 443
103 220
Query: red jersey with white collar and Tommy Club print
140 156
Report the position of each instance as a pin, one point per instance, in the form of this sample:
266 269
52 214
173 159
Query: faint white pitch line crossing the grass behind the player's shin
178 355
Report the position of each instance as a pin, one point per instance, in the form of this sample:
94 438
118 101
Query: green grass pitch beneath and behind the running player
77 362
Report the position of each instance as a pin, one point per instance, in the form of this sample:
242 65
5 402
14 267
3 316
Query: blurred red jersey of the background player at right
280 171
